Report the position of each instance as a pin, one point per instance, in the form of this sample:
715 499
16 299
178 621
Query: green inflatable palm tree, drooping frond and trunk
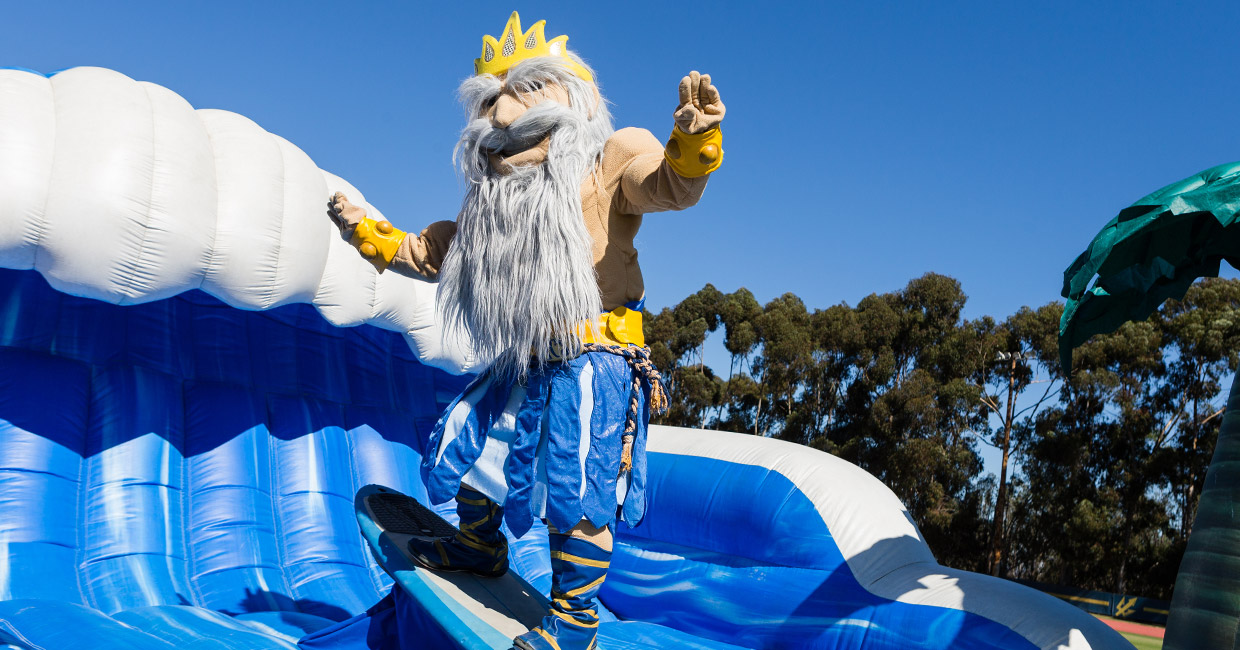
1150 252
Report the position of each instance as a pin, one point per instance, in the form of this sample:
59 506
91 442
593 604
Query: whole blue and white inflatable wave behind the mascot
197 375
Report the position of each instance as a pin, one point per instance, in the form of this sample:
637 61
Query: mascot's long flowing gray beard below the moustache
520 274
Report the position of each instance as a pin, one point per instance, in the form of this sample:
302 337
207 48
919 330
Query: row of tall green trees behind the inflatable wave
1107 465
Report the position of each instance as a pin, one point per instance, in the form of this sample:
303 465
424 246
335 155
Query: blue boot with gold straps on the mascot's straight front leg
580 565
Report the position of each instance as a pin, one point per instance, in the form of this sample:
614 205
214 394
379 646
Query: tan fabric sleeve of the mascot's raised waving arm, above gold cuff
648 183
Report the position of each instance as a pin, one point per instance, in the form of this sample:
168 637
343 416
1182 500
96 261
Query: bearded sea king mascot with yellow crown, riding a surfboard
540 270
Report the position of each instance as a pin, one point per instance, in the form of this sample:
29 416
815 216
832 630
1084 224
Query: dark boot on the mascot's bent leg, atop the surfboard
480 548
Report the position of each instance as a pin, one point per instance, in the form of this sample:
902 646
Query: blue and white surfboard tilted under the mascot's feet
482 613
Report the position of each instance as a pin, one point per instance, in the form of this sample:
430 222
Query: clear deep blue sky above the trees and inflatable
867 143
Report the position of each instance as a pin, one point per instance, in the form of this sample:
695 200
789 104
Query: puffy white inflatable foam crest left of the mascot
121 192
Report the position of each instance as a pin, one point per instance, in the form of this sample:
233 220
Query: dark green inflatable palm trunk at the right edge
1206 606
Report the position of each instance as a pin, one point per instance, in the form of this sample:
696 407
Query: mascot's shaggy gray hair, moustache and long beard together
520 274
